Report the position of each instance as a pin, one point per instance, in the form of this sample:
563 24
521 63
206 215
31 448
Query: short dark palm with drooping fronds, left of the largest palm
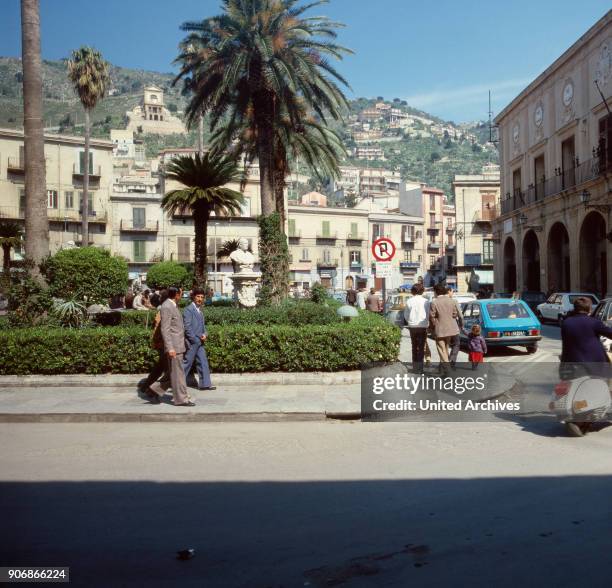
204 178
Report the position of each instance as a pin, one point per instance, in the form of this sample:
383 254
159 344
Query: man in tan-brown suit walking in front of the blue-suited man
173 334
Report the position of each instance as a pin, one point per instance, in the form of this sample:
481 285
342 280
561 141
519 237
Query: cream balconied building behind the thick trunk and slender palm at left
64 156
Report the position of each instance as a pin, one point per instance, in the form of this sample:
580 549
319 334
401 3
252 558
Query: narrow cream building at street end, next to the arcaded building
476 201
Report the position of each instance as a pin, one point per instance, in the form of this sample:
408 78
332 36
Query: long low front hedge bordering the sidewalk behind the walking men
230 348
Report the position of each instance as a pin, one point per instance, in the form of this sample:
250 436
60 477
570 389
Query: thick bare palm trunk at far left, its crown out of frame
36 221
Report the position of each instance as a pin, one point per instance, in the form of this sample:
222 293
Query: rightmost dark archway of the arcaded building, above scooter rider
593 259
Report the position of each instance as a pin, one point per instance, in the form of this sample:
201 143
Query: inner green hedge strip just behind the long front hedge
290 314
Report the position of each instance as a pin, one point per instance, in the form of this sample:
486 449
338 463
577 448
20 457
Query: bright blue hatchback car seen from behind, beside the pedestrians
503 322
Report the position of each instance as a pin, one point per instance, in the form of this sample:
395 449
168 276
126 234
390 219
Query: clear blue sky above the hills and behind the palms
440 56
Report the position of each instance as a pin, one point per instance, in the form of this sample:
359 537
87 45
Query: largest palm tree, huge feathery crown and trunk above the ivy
256 59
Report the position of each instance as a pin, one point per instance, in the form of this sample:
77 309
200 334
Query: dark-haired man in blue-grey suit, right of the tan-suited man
195 336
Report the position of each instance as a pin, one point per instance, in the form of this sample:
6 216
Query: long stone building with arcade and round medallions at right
554 229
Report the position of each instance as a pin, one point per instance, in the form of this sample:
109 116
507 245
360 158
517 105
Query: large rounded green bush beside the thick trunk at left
89 273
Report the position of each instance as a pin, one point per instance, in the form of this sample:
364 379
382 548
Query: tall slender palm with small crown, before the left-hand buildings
89 75
